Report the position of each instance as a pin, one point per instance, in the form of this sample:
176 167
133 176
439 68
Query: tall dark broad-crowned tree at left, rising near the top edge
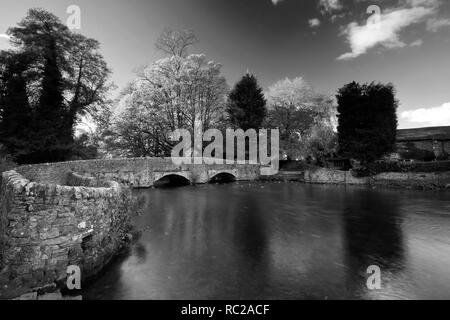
65 79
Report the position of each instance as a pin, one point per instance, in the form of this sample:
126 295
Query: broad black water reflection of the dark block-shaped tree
372 234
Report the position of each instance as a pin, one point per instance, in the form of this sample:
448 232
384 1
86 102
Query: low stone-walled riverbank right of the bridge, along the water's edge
407 180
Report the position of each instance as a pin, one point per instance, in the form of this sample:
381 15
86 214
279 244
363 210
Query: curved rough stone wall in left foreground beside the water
46 227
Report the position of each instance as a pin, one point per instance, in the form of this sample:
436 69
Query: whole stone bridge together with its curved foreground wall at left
59 214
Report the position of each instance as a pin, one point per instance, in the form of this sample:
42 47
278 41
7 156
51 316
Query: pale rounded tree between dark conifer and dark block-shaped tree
295 109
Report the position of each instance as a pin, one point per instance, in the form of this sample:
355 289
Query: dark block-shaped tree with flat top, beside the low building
367 118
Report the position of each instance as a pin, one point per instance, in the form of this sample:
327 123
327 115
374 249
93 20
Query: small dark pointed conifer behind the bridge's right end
246 107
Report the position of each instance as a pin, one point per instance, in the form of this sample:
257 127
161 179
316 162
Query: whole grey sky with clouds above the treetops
327 42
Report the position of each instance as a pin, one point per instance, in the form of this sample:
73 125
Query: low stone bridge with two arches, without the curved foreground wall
138 172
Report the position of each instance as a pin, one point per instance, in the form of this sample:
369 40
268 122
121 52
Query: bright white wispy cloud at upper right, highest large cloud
383 30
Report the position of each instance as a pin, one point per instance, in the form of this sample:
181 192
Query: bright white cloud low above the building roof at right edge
437 116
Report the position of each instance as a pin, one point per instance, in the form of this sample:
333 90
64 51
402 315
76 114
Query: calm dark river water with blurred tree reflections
283 241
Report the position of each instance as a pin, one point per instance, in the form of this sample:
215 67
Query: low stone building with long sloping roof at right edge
433 141
